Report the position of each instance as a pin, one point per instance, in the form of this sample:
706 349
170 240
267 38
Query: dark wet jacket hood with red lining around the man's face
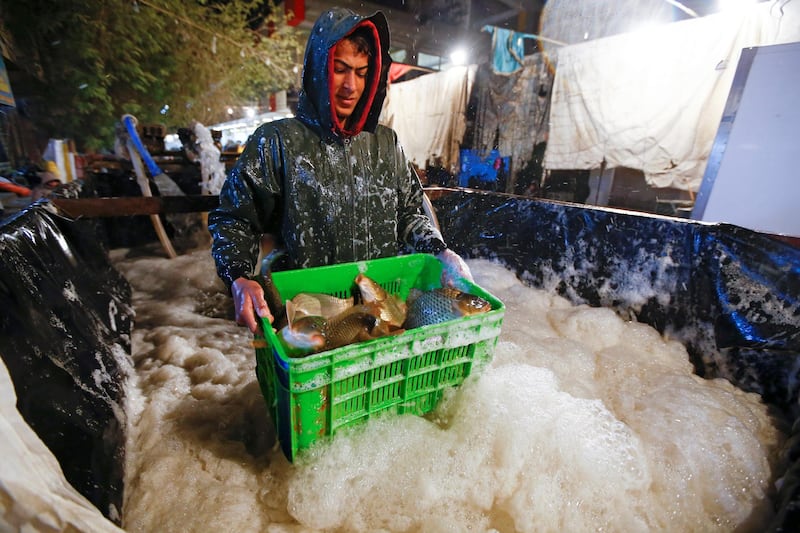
314 102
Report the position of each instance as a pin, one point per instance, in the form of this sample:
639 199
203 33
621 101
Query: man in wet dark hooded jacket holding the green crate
331 185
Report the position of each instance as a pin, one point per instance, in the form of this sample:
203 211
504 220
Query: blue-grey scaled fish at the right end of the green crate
440 305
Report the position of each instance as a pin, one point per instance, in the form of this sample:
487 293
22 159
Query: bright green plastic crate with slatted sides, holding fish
315 396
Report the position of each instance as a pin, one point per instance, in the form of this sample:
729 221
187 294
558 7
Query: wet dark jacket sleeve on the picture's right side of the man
416 230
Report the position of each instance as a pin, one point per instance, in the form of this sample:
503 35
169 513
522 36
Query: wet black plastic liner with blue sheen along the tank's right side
731 295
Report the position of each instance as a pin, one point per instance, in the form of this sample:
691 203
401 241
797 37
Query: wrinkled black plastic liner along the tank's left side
65 338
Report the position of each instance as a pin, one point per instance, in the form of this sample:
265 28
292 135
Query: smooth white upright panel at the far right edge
752 179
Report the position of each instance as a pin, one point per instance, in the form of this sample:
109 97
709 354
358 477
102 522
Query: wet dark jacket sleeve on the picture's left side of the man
247 209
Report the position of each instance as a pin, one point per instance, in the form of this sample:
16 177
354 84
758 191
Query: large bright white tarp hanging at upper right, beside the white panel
651 100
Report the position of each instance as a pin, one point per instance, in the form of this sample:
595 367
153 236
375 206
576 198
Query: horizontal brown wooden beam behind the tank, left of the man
135 205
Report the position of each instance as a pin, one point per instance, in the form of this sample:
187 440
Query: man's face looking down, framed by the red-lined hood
349 77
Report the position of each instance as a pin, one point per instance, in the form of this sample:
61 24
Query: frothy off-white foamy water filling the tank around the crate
583 421
